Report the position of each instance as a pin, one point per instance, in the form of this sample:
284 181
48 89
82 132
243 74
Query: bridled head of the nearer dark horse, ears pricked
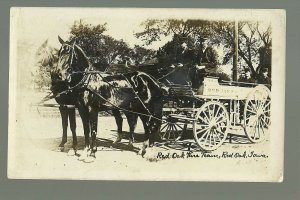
71 59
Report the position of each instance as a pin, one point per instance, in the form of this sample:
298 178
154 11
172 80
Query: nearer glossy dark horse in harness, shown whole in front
137 94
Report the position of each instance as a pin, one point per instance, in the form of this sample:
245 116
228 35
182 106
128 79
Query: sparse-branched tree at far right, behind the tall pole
252 43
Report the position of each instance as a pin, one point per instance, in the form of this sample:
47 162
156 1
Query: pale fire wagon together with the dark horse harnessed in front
214 109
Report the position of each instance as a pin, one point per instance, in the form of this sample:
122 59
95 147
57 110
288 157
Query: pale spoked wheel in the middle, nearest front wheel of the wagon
211 125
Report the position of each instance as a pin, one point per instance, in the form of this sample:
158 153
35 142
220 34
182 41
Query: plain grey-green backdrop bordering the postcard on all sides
63 189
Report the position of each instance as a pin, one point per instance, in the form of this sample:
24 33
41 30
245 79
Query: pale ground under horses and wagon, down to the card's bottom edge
33 153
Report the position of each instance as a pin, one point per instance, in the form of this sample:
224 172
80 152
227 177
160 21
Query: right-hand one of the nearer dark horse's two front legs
94 125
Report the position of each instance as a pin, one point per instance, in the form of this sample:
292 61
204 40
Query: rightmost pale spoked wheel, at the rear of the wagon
257 114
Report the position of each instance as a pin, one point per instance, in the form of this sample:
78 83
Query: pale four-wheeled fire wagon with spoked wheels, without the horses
216 111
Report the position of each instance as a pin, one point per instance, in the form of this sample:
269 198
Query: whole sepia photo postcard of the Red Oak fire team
146 94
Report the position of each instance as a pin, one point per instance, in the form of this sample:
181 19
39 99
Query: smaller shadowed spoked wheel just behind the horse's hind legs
171 129
